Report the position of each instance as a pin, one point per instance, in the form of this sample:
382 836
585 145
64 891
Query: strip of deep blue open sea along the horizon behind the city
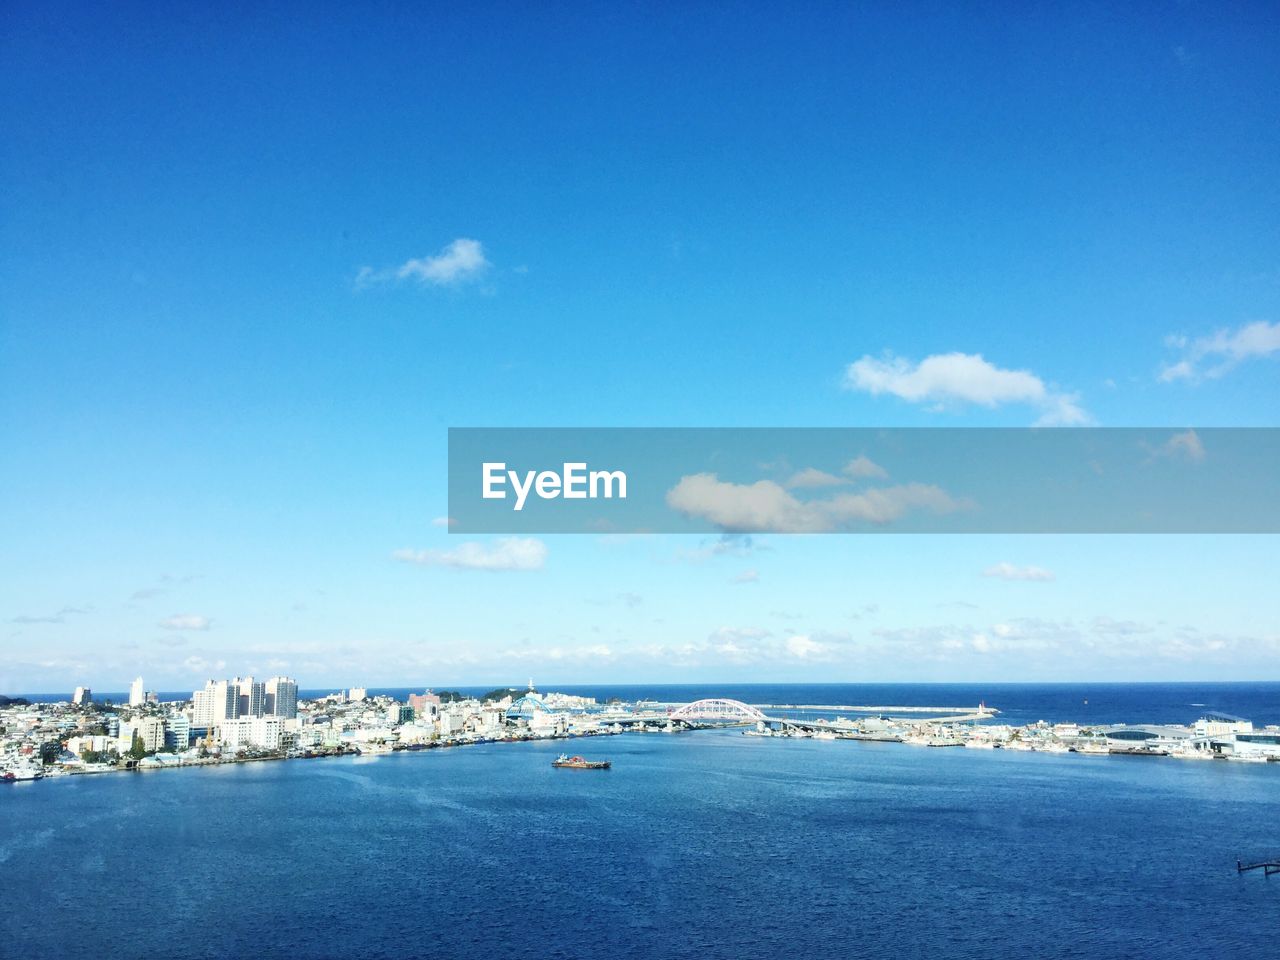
1020 703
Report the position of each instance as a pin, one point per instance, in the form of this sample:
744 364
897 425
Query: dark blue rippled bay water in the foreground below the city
707 844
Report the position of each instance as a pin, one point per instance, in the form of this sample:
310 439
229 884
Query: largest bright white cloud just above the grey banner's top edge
957 380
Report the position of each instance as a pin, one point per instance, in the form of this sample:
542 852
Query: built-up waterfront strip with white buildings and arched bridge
75 739
